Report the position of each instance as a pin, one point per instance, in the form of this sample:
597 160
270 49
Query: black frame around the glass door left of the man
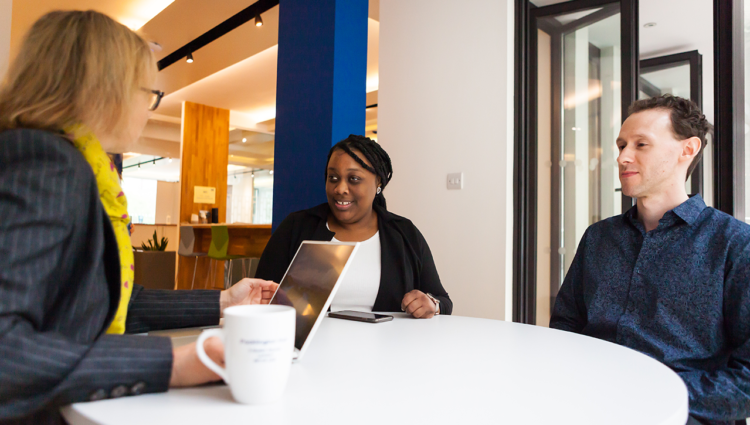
525 158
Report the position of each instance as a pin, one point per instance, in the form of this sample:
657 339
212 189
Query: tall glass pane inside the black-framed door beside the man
589 183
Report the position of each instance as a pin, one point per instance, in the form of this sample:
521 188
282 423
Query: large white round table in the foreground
447 370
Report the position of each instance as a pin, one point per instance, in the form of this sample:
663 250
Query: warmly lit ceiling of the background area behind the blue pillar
235 72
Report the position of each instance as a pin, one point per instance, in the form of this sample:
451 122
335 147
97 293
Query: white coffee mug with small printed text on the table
258 350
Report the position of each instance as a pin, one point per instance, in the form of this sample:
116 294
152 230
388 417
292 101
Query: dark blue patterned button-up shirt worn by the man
679 293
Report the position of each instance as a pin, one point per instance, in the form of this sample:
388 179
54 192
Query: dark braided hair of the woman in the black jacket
381 162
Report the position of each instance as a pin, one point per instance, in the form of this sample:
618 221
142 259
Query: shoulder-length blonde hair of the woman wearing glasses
76 67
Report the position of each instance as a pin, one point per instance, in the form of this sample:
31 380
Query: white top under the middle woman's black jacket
360 286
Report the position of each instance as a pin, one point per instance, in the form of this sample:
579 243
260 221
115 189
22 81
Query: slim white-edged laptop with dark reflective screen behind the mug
310 283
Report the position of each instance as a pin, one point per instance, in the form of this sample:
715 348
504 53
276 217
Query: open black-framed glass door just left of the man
583 81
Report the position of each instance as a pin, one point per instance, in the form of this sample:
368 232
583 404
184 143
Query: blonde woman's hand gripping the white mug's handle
188 370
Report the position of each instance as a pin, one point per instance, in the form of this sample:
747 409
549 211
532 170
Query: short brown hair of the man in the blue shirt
687 120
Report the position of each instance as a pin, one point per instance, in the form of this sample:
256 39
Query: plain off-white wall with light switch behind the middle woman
446 105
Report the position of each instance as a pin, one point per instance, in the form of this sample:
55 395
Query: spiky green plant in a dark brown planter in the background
154 265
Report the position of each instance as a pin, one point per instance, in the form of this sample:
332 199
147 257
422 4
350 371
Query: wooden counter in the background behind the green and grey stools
247 240
